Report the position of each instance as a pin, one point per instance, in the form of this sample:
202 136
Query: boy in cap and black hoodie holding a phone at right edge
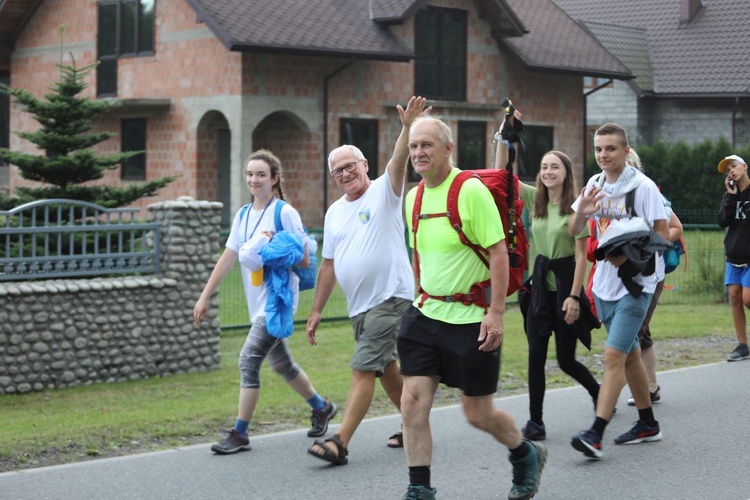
734 217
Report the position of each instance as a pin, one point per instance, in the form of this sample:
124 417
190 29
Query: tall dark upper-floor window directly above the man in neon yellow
440 45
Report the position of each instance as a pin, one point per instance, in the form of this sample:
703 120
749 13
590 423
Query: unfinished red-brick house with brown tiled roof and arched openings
205 82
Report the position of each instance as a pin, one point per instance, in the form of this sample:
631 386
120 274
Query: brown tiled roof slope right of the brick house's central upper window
555 42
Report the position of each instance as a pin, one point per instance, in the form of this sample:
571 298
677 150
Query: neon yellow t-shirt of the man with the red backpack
447 266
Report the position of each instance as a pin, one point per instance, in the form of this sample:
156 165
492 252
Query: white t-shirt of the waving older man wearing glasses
366 240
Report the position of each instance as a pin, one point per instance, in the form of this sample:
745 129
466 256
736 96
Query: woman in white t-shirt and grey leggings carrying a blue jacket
252 229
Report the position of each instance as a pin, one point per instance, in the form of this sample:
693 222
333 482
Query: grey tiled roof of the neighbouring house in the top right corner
706 56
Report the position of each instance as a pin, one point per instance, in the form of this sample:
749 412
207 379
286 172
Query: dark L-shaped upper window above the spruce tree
126 29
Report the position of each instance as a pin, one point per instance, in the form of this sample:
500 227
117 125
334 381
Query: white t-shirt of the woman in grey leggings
251 224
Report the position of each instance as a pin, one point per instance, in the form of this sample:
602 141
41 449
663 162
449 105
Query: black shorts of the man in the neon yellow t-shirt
428 347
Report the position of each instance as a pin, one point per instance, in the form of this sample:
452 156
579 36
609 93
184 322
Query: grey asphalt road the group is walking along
704 415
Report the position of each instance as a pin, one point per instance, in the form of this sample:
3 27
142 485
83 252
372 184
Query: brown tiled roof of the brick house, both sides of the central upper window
538 32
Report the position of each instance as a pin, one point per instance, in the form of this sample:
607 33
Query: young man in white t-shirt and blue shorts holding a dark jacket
621 305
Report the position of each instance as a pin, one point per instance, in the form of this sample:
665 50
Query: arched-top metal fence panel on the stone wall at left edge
60 238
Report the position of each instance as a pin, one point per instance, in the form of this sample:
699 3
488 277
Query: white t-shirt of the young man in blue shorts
647 204
